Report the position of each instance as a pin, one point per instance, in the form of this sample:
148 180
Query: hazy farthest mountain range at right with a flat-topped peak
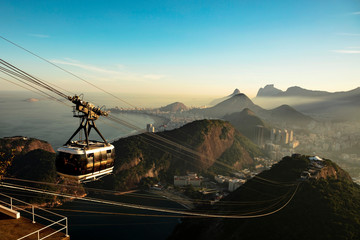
340 106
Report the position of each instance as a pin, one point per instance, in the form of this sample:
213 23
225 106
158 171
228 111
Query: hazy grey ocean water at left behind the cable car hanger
53 122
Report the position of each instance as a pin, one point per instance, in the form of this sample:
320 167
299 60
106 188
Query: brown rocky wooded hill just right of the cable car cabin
211 140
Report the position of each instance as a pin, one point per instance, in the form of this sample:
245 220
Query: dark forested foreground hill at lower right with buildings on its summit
324 207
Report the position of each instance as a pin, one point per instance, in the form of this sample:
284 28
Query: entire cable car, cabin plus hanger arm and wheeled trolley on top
85 160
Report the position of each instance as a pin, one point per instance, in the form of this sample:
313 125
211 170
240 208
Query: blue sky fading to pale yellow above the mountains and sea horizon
186 47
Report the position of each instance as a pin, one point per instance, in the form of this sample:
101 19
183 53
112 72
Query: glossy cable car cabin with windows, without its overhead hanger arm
77 161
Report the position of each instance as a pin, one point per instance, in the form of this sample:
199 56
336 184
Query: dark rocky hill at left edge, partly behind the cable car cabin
33 159
